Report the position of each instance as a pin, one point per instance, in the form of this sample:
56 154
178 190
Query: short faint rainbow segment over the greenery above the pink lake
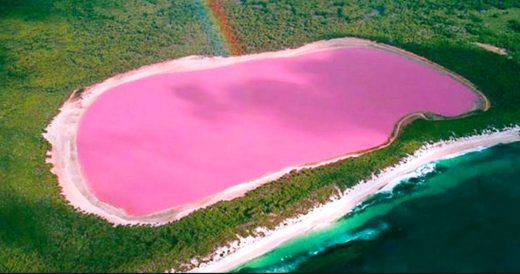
215 23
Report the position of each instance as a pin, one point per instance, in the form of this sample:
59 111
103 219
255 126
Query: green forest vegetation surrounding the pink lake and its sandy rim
50 48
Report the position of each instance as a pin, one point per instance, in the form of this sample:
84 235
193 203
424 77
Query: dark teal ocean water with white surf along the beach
461 214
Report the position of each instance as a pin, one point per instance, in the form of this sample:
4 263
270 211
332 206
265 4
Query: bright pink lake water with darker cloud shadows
171 139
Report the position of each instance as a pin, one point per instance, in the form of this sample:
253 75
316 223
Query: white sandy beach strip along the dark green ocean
245 249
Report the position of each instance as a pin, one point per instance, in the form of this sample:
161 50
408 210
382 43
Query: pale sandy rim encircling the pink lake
61 133
